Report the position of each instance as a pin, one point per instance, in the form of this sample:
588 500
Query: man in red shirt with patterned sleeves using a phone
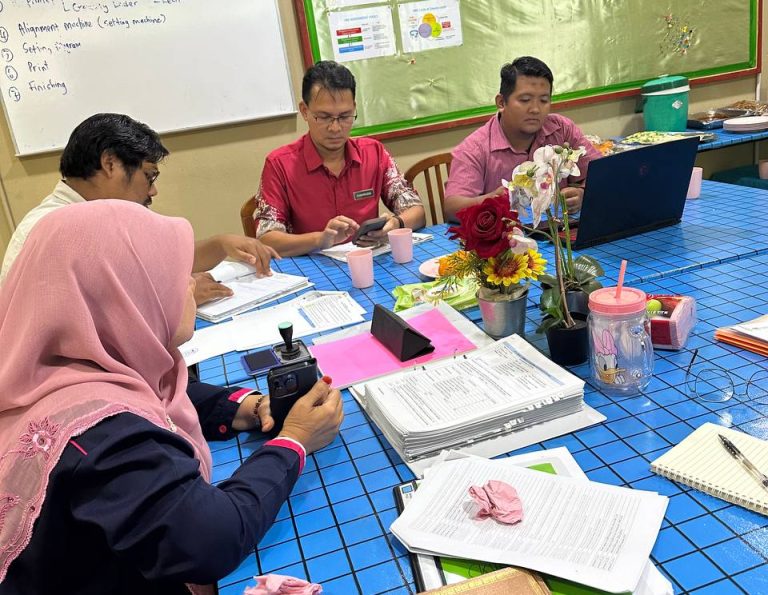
316 191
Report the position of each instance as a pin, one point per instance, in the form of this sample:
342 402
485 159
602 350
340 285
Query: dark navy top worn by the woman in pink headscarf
134 516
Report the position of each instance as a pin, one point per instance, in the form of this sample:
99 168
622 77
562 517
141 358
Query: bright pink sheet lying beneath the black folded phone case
361 357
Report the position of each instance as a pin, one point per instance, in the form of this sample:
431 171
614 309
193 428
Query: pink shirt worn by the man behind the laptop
485 157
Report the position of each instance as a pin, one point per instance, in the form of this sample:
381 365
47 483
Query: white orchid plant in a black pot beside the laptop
536 185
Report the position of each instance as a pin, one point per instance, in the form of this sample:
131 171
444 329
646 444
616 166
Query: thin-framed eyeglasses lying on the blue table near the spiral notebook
716 385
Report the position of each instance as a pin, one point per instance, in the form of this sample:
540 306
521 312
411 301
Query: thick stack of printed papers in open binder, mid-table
499 389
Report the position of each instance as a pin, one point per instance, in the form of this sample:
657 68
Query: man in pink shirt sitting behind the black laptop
522 125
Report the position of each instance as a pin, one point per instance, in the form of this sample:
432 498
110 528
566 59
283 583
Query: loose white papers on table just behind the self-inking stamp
313 312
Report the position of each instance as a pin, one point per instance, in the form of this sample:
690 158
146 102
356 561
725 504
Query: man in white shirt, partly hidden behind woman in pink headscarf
114 156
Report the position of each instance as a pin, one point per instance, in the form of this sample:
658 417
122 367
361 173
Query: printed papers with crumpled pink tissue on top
590 533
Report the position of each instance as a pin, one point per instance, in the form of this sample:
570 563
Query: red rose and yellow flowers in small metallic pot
495 253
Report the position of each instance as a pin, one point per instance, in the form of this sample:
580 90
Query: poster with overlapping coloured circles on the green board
430 25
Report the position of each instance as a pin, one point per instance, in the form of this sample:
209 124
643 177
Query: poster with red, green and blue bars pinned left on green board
362 33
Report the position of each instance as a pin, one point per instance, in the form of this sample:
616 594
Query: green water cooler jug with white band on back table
665 103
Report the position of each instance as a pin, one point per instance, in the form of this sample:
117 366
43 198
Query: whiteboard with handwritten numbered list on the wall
172 64
